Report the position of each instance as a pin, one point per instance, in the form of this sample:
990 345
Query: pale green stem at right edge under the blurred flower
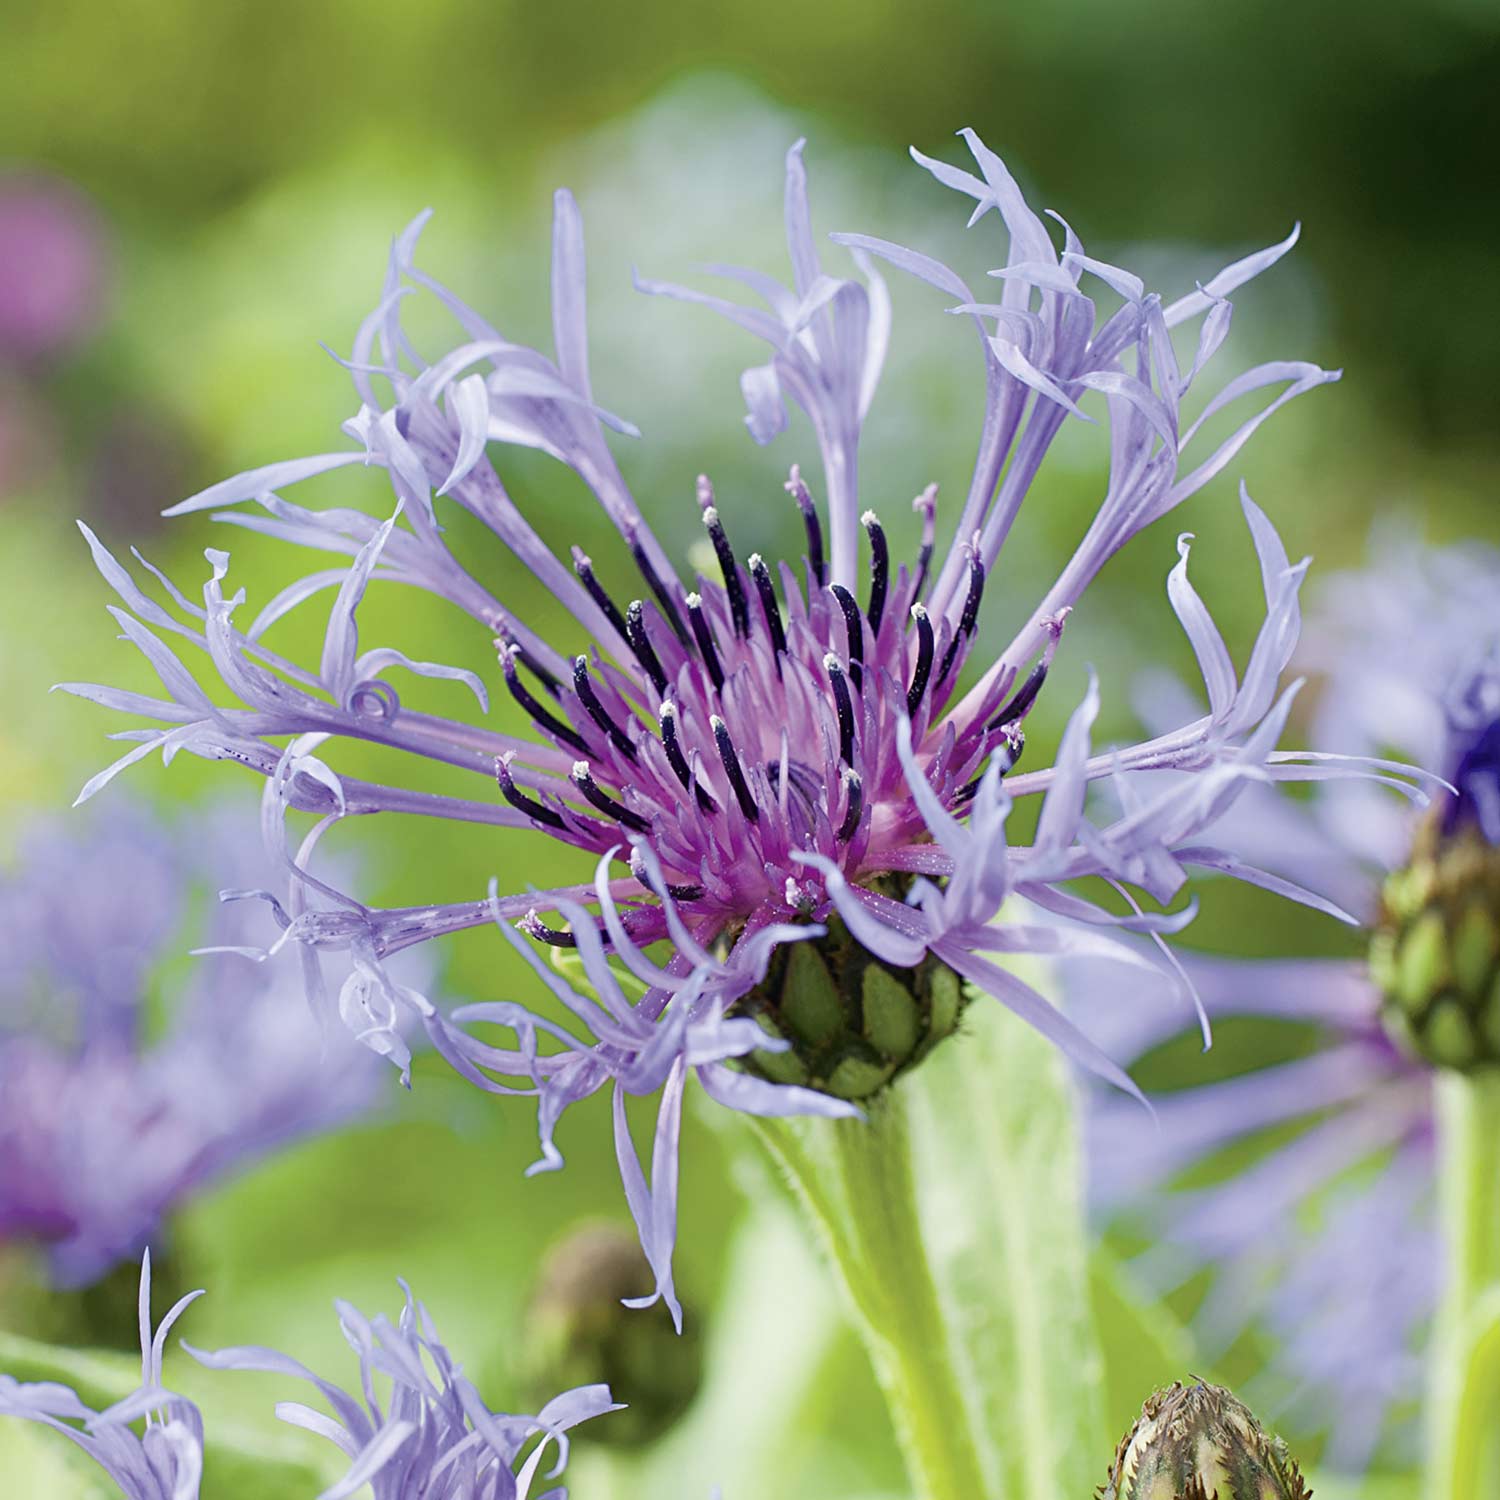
1465 1379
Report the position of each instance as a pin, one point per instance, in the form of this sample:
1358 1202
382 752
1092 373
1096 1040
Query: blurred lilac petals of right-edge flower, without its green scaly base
1411 653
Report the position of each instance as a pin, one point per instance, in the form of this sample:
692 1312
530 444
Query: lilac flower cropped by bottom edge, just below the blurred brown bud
431 1438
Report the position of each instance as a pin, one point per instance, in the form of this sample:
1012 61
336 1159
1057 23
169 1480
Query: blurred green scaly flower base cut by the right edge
1436 953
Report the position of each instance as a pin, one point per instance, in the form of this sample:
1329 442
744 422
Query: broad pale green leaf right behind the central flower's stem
1001 1193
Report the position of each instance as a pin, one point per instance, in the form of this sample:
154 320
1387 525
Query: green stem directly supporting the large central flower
856 1181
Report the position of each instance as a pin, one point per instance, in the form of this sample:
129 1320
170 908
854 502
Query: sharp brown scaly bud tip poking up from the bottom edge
1201 1444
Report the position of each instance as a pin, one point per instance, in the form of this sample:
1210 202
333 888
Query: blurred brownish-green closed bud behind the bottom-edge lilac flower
580 1334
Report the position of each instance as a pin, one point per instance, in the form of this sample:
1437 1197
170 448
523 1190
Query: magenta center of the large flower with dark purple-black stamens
742 727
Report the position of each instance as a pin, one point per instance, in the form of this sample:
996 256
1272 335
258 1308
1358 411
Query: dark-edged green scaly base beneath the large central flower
853 1022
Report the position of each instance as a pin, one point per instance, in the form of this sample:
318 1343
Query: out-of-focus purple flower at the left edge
109 1120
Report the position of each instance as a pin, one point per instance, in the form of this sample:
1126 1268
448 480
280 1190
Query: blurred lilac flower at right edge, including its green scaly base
1288 1189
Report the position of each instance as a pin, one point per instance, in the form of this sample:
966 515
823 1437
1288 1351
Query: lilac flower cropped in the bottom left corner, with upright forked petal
163 1463
